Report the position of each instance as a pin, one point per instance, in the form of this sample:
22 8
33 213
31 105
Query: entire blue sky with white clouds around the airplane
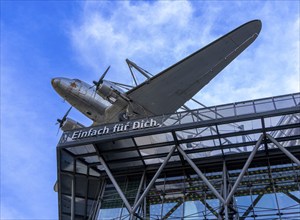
79 39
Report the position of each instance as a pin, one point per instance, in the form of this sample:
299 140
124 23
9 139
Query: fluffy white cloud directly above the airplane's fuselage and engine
151 34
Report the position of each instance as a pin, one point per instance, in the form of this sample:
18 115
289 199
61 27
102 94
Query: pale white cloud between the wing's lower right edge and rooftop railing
269 67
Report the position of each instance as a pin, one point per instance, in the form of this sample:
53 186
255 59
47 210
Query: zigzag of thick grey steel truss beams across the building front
224 199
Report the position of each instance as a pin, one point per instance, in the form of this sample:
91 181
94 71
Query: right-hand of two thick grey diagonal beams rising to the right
249 160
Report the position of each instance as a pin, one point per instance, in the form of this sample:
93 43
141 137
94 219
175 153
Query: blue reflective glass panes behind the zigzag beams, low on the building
266 192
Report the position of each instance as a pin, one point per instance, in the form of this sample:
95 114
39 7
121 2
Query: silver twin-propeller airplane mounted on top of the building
106 102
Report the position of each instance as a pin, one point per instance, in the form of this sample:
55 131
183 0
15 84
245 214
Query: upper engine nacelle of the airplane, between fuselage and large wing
109 91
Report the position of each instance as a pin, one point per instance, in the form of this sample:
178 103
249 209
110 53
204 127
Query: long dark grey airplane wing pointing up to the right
170 89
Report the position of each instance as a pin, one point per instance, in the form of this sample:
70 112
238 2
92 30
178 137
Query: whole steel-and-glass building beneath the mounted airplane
136 174
